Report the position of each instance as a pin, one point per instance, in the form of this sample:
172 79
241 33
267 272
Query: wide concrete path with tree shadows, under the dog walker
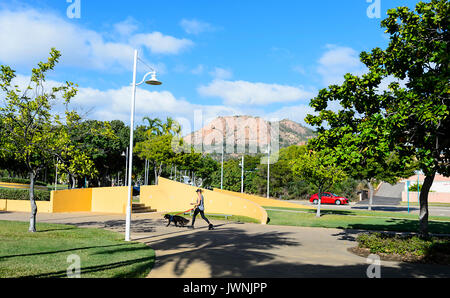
242 250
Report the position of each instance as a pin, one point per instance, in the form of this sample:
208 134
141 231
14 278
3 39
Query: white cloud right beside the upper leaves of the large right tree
336 62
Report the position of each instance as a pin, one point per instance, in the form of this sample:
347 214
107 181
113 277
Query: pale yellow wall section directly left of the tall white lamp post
109 199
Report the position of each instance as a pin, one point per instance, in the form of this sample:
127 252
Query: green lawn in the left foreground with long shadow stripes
103 254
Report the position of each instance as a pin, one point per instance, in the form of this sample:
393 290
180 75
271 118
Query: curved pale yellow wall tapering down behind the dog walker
171 196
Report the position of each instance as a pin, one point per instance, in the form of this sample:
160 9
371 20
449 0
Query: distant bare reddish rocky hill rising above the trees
254 130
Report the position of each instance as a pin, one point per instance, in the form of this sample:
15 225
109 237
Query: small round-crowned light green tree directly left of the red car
319 170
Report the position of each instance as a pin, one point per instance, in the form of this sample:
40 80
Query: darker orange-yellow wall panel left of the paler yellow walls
71 200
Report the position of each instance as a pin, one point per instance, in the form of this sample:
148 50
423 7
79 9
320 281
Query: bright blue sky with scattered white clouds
260 58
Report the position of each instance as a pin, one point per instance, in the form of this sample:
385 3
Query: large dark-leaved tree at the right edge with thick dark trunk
412 120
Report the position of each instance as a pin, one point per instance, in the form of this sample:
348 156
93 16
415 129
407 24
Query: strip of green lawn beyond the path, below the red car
356 219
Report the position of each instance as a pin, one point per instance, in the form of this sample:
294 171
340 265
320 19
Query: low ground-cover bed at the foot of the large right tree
407 248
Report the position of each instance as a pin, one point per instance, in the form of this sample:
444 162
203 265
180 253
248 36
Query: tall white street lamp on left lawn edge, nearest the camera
151 81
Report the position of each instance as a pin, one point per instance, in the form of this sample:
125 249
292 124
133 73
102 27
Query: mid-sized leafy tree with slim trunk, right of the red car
353 142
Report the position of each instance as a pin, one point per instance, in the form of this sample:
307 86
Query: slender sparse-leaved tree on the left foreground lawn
31 133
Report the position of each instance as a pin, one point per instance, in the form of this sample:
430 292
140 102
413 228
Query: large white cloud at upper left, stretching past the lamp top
27 36
